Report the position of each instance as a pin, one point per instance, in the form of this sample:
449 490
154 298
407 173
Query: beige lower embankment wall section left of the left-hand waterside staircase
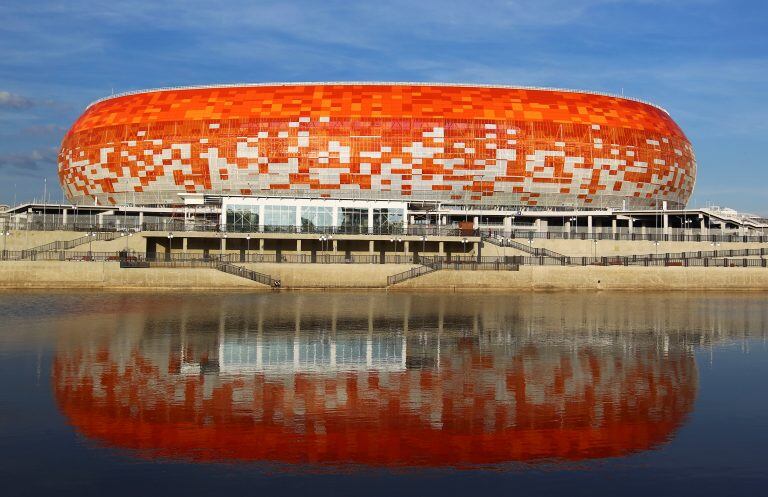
109 275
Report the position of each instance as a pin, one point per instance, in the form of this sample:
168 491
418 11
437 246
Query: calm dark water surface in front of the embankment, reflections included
383 394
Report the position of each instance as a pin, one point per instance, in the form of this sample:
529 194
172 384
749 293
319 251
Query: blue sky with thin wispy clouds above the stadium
706 61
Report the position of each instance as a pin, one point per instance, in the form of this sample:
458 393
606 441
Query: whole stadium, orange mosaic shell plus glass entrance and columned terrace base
376 172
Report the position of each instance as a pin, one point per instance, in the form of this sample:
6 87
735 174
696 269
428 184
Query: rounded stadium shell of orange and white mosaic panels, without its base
451 144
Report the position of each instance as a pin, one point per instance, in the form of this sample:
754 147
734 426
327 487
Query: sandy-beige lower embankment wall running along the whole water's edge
109 275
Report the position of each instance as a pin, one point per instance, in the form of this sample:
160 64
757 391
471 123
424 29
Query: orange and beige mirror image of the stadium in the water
398 380
